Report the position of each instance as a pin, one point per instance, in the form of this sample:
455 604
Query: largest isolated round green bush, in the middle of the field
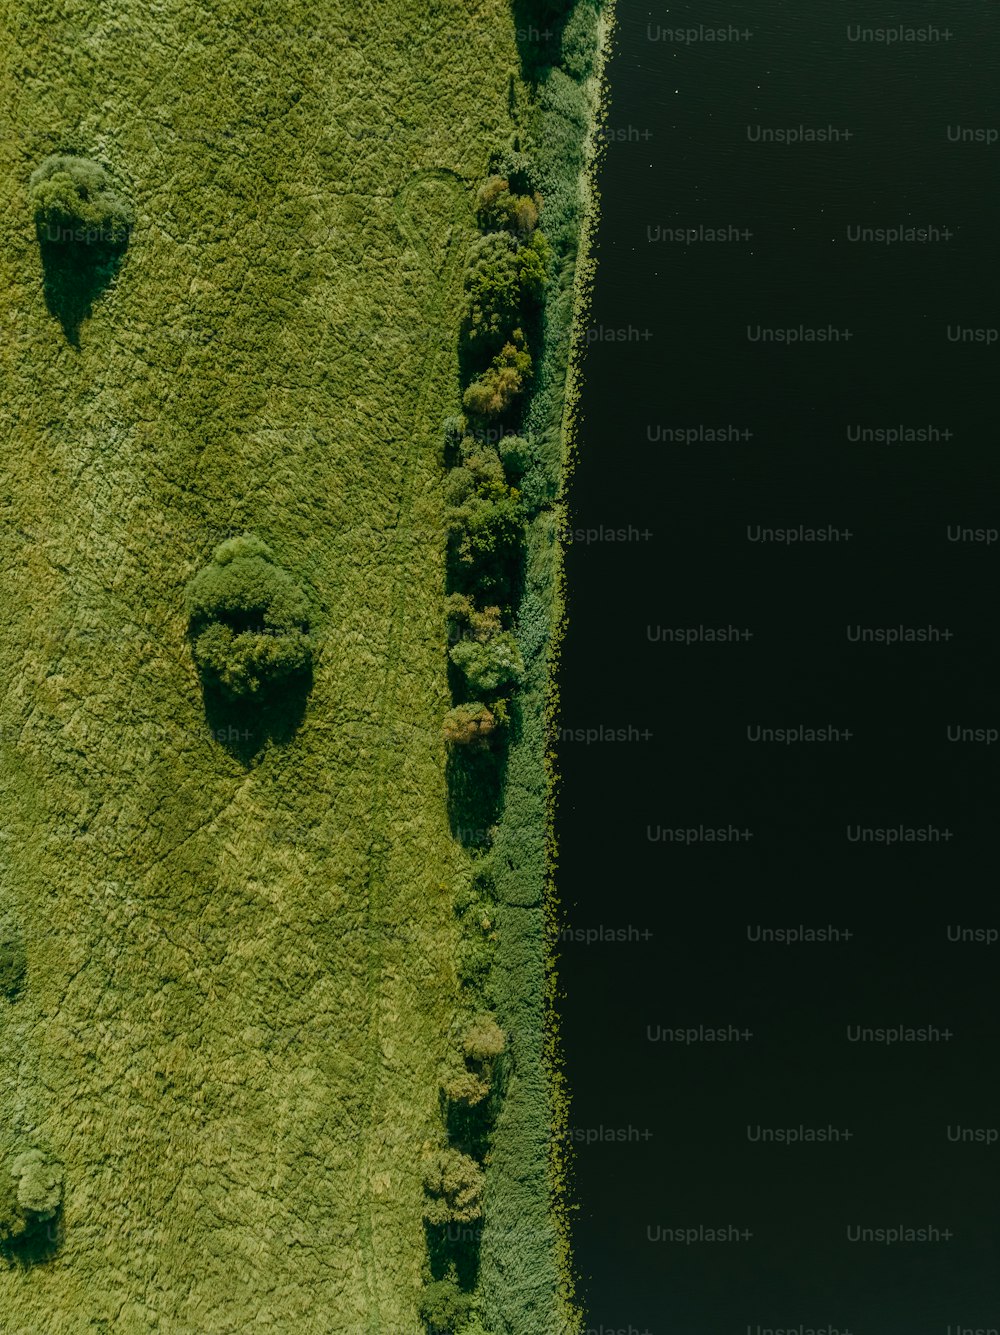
249 620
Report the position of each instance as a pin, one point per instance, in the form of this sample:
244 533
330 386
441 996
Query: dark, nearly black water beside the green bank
670 1123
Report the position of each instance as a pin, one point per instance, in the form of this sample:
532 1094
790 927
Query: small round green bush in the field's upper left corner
75 205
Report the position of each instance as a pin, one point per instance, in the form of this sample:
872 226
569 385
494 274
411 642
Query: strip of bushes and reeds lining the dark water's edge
523 1252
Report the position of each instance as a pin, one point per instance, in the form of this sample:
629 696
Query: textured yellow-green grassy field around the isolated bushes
241 967
